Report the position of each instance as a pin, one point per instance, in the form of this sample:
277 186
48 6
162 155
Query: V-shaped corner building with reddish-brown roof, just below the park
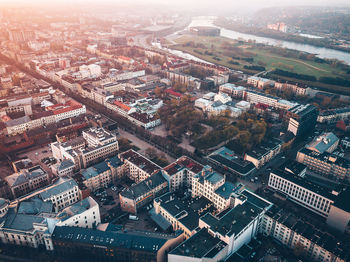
180 173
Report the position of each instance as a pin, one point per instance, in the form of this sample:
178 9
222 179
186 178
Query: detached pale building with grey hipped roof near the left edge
27 180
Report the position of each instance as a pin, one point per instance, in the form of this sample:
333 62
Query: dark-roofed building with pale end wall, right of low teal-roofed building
263 153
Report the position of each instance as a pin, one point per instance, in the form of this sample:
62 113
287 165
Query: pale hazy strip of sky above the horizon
198 7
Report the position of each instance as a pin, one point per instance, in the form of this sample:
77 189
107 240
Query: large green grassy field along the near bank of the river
270 60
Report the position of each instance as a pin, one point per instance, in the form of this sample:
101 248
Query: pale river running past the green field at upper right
319 51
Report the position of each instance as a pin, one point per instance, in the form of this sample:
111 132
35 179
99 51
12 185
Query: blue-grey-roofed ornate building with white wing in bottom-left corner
30 223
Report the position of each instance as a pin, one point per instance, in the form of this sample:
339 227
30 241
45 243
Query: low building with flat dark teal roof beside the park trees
228 160
